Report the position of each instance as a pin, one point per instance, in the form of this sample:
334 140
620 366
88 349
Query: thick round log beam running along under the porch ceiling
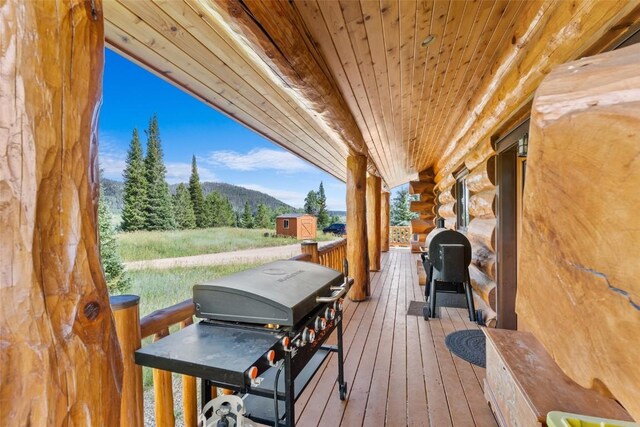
273 32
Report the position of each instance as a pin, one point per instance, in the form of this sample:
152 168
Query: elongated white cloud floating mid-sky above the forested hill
260 158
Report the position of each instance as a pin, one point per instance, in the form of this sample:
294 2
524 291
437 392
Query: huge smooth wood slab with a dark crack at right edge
580 224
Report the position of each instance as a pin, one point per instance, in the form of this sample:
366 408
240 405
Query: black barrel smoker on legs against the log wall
446 264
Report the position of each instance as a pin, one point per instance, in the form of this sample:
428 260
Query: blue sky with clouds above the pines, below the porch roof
225 150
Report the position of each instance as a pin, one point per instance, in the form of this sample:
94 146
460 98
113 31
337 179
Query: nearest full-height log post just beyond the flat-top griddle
357 252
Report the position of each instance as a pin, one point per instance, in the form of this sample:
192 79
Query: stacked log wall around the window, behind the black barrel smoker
482 225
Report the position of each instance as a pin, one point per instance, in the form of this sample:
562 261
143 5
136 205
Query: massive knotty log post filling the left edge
59 341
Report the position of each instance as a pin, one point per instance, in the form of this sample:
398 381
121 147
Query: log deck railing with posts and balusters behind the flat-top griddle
131 330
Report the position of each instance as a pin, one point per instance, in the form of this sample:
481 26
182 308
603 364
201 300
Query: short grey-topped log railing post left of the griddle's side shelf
126 313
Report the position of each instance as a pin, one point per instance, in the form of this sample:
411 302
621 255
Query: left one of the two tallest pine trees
135 187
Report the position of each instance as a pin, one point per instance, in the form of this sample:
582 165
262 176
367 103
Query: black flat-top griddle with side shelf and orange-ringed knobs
255 324
